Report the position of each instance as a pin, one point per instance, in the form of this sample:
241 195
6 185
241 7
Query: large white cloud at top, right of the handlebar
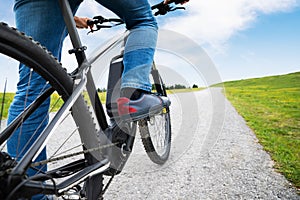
214 22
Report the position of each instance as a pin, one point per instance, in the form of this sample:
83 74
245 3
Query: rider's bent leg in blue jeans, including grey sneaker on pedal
138 58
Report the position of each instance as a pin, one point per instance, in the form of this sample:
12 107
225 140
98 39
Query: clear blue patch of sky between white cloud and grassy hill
270 46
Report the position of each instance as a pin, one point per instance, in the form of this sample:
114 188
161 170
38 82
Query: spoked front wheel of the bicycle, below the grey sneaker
156 130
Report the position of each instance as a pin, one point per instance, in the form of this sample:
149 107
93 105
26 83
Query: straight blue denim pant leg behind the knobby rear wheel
40 19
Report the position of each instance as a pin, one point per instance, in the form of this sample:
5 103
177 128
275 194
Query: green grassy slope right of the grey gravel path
271 108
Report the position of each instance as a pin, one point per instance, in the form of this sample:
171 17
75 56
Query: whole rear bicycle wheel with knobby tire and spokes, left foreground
23 49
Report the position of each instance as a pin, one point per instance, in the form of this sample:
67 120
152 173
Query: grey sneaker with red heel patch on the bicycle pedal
146 105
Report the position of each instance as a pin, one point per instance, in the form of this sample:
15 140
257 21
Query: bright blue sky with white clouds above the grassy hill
243 39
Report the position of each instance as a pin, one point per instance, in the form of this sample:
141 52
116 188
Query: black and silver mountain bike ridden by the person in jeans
105 147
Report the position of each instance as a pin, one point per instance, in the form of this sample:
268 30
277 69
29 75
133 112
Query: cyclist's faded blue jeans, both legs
42 20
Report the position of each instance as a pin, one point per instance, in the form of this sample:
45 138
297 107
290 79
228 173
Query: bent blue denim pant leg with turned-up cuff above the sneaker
141 42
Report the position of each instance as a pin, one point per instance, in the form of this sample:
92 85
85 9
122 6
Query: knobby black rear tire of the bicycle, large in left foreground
24 49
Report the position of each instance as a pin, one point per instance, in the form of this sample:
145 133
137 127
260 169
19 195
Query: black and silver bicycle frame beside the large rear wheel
84 80
